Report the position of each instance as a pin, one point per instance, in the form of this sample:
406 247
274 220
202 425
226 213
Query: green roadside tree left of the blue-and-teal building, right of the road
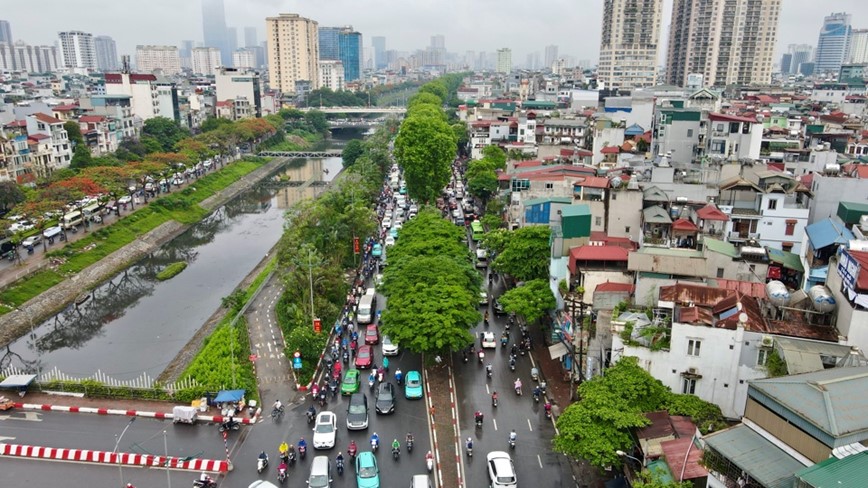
526 255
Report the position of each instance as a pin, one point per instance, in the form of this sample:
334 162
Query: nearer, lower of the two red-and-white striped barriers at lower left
105 457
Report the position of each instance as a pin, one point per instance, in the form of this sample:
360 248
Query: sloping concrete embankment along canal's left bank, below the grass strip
17 323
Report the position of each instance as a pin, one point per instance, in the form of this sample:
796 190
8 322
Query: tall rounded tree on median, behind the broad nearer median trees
425 148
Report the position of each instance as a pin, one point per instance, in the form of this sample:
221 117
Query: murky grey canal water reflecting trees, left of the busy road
133 324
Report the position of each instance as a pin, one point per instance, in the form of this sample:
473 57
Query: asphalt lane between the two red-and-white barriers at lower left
97 432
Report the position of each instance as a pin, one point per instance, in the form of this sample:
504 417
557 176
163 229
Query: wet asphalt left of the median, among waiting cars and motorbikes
409 416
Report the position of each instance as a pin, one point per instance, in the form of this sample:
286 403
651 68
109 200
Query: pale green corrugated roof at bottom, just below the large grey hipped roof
753 454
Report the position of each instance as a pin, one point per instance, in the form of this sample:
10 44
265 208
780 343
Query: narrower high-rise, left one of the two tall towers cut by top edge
628 43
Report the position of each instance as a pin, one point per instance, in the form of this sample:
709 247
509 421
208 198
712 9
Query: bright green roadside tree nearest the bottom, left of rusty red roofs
598 425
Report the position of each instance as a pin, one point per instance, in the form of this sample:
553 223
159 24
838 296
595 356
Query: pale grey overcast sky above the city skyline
478 25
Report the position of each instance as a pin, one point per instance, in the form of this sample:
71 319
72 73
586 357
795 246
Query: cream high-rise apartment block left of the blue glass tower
293 52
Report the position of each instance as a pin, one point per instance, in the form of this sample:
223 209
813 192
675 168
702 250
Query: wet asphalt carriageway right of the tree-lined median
535 463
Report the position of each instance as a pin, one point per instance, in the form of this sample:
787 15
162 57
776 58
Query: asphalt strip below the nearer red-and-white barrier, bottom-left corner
41 472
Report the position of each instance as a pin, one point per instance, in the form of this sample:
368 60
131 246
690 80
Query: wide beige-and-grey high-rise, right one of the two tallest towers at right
725 41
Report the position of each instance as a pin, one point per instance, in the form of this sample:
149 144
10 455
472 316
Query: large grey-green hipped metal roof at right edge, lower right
834 401
